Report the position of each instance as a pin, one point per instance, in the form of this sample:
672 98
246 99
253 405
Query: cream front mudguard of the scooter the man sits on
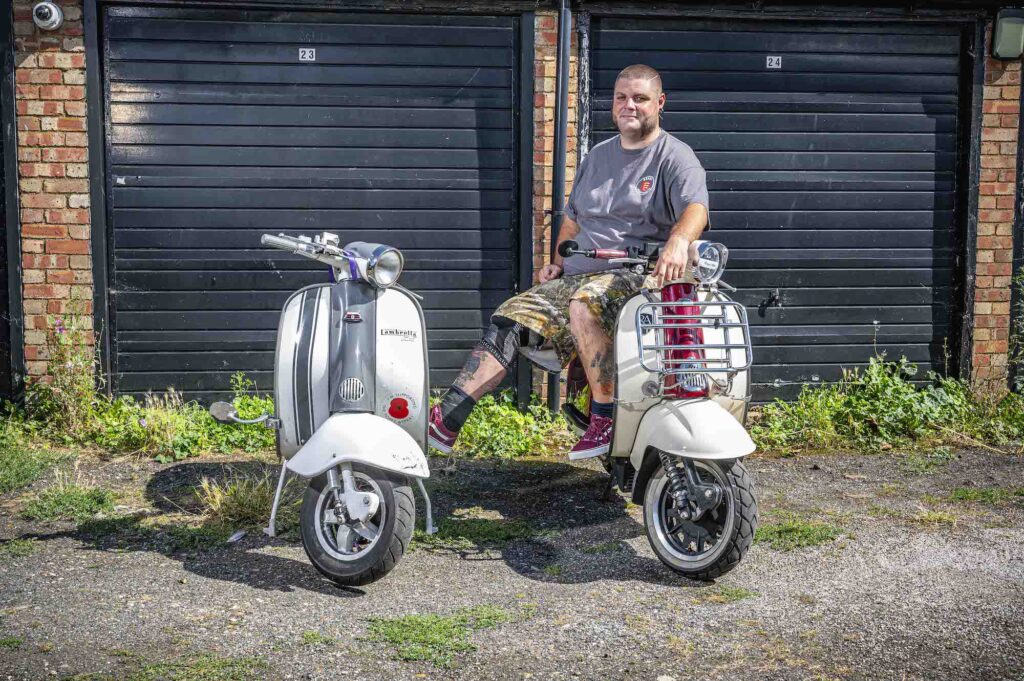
696 430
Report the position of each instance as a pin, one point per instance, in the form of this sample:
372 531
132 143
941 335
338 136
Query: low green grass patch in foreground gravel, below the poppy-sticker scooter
437 639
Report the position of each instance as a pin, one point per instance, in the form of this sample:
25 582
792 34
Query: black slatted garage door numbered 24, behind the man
831 153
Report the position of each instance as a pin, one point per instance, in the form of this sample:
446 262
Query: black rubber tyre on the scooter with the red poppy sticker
399 510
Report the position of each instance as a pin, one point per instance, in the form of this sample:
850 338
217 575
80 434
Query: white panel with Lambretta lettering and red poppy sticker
402 364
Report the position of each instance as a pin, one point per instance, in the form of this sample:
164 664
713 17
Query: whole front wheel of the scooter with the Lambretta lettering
351 554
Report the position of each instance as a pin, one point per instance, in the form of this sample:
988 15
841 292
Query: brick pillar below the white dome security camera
53 158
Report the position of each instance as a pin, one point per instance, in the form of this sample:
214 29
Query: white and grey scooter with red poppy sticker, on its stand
351 392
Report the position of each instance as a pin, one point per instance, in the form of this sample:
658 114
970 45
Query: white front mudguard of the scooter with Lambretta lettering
363 439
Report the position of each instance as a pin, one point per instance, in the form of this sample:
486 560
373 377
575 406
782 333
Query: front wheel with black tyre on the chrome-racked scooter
737 517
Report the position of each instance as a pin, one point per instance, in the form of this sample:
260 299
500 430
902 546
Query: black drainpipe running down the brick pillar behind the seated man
559 172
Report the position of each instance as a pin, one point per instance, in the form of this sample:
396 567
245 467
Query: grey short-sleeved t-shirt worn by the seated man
624 197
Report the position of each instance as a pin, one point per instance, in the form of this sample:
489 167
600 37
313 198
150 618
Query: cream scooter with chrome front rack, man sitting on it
684 357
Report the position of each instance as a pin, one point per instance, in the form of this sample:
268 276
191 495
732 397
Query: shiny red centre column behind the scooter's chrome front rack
682 387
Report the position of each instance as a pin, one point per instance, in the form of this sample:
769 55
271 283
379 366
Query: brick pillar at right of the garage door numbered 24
996 223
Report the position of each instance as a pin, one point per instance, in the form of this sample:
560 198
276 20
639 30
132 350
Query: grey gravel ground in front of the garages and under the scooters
898 597
